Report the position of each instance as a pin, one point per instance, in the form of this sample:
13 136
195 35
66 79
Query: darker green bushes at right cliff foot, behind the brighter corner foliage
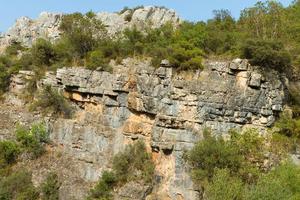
243 155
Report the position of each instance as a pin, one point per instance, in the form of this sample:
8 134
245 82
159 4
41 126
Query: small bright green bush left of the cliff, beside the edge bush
32 140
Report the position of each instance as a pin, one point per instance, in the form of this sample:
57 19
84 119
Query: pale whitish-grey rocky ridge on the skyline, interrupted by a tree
46 26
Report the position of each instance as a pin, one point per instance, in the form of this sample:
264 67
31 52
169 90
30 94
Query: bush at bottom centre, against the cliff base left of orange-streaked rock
133 164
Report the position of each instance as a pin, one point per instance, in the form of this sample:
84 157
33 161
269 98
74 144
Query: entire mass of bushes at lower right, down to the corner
239 162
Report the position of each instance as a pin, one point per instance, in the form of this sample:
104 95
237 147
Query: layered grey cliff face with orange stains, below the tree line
166 109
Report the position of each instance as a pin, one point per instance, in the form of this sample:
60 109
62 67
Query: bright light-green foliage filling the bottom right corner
280 183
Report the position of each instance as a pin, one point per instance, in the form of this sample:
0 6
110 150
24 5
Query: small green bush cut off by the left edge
9 152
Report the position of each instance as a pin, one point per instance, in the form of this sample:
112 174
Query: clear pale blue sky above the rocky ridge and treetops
192 10
